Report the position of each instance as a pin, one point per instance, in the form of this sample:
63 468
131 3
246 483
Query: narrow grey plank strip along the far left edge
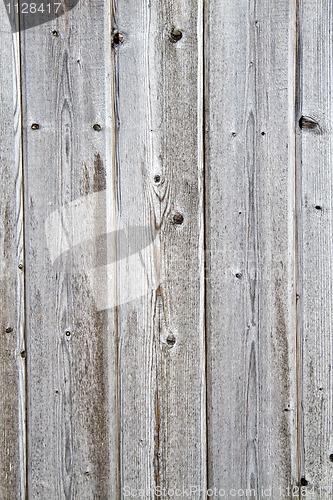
12 370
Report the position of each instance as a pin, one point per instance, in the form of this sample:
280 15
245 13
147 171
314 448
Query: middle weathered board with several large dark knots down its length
159 172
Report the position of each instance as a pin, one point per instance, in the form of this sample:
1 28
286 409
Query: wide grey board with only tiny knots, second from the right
250 300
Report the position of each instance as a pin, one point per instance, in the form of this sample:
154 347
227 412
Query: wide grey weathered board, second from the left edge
72 434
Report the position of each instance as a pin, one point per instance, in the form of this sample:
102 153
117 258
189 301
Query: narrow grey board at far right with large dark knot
315 183
